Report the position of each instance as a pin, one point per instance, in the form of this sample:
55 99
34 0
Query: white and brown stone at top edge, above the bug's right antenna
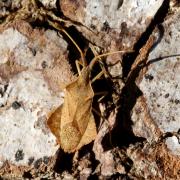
116 23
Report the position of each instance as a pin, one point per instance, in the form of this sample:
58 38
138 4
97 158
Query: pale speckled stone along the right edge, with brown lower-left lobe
158 111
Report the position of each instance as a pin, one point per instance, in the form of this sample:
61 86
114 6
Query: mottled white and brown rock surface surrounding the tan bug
139 127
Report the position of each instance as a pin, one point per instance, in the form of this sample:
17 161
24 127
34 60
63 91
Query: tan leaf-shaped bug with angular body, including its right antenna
73 123
